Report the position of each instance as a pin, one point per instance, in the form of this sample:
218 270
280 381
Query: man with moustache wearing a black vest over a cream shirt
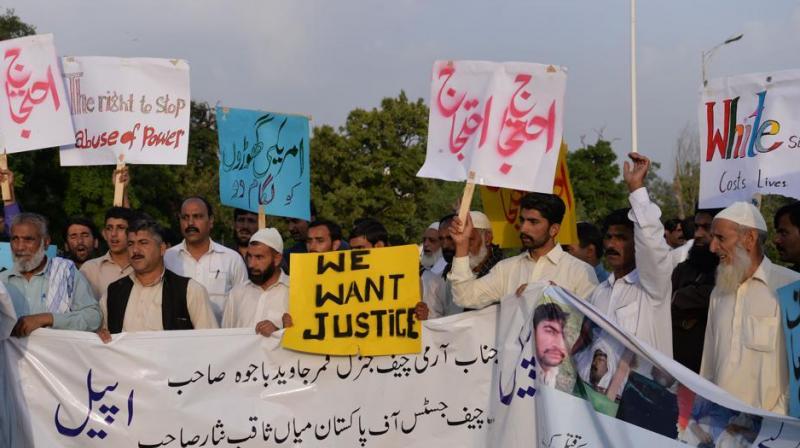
153 298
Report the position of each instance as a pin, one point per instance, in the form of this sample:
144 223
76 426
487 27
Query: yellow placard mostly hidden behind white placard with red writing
501 205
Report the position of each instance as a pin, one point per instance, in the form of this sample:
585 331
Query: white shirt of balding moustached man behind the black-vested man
218 270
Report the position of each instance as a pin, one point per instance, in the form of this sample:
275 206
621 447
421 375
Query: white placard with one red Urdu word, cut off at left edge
34 110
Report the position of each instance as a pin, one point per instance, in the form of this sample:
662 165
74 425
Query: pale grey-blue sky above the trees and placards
324 58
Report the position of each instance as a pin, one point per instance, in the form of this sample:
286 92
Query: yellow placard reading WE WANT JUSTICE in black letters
355 302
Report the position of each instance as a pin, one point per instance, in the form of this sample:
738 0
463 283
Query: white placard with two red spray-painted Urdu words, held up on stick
502 121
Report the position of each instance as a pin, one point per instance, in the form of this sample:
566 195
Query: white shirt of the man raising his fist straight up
640 301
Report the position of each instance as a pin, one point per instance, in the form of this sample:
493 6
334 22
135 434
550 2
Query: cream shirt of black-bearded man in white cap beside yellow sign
249 304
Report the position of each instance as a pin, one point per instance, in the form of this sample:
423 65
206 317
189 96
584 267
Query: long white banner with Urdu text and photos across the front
493 377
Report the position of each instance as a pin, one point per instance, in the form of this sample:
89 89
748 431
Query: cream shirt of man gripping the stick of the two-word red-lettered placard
508 275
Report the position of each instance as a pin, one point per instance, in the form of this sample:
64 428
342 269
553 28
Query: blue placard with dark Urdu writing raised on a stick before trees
264 159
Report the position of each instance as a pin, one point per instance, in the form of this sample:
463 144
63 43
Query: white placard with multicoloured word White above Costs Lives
749 137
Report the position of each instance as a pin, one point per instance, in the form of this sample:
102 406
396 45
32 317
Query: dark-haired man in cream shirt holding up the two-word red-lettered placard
543 259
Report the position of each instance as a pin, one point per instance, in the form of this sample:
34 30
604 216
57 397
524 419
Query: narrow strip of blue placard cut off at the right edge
789 297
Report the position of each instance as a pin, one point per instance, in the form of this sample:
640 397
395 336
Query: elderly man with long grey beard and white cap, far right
745 348
